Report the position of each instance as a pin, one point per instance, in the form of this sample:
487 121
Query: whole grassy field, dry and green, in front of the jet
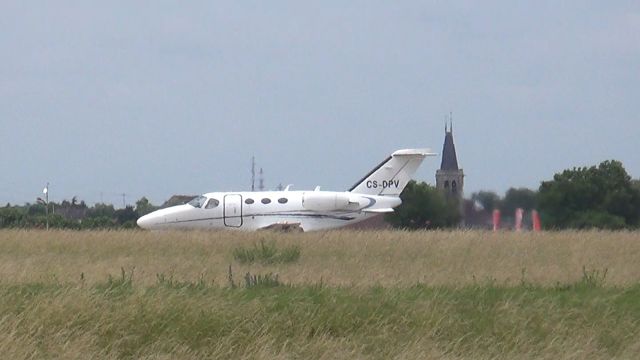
135 294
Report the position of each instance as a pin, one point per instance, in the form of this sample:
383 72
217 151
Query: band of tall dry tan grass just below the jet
344 258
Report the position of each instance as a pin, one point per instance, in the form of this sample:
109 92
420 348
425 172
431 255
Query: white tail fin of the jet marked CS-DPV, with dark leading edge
393 174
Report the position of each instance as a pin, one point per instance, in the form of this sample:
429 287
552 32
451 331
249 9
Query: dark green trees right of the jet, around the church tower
602 197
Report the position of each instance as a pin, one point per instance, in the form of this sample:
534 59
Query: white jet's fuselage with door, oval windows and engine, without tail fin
312 210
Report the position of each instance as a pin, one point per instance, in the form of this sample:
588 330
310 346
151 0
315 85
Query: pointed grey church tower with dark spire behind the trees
450 178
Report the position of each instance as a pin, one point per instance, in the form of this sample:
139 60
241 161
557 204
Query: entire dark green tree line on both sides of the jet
602 196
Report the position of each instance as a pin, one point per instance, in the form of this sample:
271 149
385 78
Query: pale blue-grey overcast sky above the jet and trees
154 98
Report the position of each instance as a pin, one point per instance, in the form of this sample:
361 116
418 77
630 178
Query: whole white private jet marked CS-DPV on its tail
378 192
